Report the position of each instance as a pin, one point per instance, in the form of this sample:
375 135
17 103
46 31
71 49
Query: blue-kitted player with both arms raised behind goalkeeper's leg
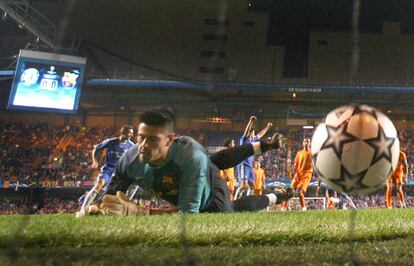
246 175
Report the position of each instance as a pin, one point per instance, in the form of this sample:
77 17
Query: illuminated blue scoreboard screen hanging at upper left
47 82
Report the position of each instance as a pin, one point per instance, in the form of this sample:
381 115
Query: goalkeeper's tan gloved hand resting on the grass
120 205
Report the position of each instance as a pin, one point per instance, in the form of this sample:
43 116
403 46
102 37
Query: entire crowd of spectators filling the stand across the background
40 152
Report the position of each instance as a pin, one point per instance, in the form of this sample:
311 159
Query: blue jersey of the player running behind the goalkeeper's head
114 150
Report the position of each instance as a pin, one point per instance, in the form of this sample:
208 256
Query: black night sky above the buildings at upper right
290 21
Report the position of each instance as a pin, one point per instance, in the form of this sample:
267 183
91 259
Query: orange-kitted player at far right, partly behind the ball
397 179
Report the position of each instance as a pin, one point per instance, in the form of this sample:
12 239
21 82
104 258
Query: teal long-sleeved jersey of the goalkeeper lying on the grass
185 179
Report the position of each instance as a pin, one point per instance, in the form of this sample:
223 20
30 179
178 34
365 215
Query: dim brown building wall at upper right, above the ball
386 58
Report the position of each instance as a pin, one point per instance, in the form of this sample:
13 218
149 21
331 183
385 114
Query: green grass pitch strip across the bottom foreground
380 236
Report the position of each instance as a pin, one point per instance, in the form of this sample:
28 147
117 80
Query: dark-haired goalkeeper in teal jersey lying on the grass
179 171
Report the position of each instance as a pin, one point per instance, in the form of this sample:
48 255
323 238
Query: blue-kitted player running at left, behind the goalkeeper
115 148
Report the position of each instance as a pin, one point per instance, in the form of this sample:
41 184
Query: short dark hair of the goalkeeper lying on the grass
162 118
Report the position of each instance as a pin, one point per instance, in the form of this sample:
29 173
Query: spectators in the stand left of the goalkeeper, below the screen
38 152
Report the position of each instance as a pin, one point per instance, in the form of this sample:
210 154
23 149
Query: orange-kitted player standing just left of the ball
302 173
